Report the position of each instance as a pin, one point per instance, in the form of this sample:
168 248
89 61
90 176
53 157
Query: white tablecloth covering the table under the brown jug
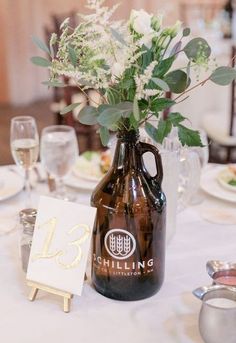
170 316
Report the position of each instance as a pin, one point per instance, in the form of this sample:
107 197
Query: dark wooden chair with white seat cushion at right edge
221 130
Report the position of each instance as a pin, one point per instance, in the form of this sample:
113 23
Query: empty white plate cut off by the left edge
10 184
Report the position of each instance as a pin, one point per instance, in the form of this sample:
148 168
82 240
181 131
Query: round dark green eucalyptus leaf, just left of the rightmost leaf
177 81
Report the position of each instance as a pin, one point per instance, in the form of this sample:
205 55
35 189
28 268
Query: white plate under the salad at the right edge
210 185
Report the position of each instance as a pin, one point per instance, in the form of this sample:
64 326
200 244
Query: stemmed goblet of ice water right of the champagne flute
58 152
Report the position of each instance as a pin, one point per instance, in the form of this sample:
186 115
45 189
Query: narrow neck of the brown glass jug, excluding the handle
126 154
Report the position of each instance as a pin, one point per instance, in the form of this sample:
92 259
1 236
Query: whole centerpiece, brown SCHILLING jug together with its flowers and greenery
132 66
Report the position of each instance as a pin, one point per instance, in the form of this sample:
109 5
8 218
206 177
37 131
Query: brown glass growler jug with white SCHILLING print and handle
129 231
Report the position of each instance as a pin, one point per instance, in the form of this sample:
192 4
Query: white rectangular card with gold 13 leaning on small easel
61 244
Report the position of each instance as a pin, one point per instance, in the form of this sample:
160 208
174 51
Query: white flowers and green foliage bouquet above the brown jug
132 66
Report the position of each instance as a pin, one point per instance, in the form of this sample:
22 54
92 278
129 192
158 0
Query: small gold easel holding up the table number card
35 287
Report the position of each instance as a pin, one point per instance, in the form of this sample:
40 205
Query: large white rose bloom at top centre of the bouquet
141 22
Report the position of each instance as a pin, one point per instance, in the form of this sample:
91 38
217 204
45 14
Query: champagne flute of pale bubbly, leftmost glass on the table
25 147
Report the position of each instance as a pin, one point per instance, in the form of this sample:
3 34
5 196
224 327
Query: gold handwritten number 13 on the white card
51 227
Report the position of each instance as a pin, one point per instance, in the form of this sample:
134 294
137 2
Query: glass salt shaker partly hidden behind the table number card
27 221
